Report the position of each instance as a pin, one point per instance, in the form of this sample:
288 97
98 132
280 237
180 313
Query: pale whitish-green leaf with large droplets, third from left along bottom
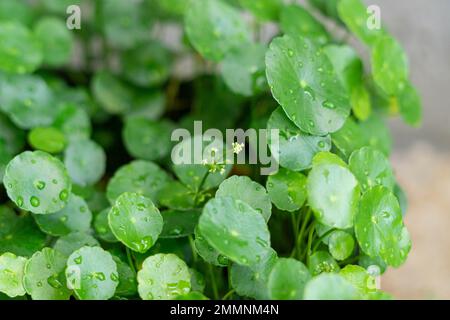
92 274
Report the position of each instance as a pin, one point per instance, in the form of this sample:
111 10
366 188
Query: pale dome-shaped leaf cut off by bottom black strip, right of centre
330 286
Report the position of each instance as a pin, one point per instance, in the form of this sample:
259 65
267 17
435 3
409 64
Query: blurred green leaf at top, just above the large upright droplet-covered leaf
295 20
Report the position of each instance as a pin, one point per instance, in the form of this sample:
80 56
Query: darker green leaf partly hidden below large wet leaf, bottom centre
252 281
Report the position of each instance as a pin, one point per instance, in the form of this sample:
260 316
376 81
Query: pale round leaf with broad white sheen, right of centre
333 194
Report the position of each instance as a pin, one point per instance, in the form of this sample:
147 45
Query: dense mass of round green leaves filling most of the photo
92 206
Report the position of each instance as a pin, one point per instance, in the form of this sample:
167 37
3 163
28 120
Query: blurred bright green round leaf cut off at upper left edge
20 52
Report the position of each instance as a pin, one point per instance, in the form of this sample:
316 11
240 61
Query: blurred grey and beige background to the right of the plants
421 156
